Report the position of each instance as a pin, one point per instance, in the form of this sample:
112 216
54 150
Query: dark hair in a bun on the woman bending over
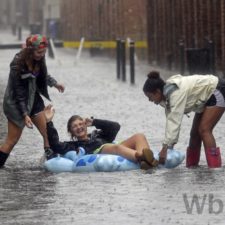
153 82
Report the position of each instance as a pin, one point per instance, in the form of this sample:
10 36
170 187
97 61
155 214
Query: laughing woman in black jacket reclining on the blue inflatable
100 141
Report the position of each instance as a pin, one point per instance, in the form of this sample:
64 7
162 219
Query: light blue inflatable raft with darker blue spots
73 162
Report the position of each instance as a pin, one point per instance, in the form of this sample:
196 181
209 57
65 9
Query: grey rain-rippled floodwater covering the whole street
30 195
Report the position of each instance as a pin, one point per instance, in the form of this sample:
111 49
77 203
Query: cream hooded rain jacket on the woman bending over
190 95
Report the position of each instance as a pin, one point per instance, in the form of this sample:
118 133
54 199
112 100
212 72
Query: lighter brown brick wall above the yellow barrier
103 19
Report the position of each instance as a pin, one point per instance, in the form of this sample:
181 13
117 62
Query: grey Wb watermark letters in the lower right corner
215 206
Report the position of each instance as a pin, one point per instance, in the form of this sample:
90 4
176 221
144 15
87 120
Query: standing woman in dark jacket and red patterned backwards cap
23 105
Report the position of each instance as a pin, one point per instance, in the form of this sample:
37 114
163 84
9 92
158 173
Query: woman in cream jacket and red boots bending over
202 94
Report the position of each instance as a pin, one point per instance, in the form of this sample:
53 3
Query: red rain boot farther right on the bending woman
213 157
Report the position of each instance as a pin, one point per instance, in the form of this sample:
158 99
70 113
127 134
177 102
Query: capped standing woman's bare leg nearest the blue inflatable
39 121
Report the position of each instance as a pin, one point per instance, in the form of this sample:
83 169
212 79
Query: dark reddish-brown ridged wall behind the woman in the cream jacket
193 21
